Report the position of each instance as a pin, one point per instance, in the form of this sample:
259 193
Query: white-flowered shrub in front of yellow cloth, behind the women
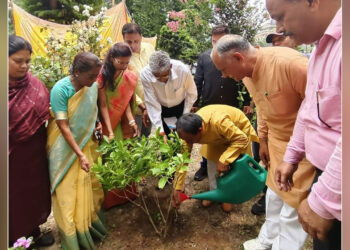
85 36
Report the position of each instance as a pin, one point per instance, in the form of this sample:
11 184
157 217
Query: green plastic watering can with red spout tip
245 179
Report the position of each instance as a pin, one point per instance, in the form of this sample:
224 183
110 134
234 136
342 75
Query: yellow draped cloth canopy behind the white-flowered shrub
36 30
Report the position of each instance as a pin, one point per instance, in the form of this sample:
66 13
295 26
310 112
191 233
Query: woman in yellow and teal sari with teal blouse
76 194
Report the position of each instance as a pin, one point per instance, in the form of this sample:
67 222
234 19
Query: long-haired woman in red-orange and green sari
117 98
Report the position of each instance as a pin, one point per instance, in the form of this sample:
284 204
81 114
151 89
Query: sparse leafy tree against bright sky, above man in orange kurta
240 16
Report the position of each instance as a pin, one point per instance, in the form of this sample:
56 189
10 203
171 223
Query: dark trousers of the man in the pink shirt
334 234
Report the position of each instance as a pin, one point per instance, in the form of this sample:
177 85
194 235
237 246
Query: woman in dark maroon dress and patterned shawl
29 185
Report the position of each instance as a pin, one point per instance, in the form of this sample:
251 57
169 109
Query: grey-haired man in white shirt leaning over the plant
169 89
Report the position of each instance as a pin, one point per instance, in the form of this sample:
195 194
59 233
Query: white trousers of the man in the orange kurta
281 230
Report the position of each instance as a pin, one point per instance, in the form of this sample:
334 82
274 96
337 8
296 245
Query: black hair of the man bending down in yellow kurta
189 123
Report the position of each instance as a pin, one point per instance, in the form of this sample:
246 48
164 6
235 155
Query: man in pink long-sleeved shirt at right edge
317 131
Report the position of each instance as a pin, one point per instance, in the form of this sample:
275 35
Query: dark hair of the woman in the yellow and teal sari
84 61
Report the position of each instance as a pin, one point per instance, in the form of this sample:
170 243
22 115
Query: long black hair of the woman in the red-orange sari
120 49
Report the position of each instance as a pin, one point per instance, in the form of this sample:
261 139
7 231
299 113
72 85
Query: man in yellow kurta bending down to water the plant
225 133
